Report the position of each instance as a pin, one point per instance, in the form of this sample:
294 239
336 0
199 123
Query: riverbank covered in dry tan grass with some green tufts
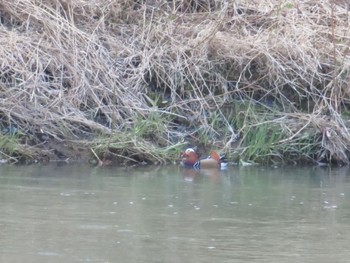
138 81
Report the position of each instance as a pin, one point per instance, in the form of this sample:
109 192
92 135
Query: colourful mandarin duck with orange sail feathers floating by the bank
191 159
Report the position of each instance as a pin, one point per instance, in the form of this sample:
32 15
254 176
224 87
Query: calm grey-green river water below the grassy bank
165 214
